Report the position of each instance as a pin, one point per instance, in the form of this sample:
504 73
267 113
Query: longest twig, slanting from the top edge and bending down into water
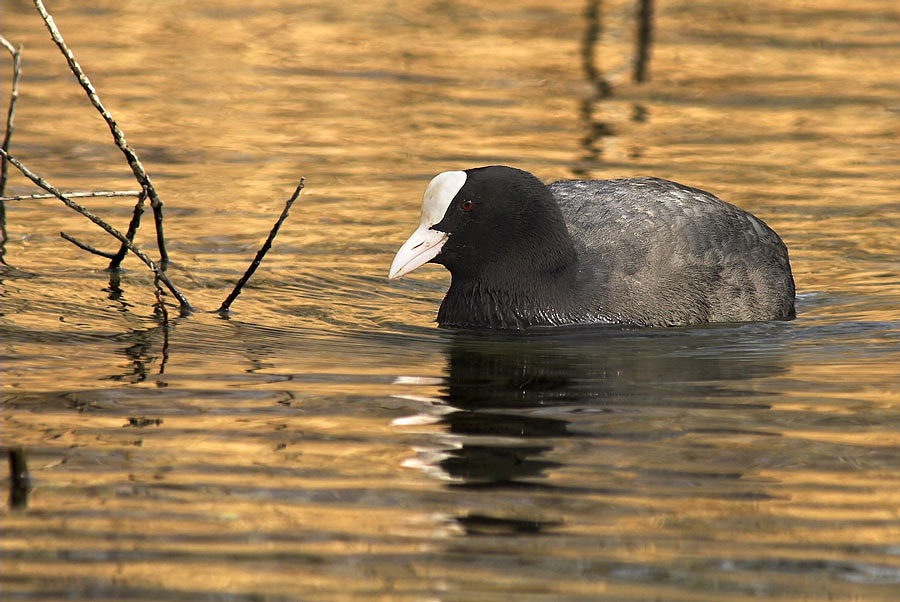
136 166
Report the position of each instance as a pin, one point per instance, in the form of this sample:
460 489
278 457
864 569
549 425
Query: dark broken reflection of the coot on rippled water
506 401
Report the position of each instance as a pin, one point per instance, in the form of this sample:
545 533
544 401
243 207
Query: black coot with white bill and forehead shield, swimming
637 251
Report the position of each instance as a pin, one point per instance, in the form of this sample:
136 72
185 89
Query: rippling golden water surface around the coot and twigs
327 441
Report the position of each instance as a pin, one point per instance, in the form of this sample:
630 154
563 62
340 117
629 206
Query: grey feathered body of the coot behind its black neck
656 253
